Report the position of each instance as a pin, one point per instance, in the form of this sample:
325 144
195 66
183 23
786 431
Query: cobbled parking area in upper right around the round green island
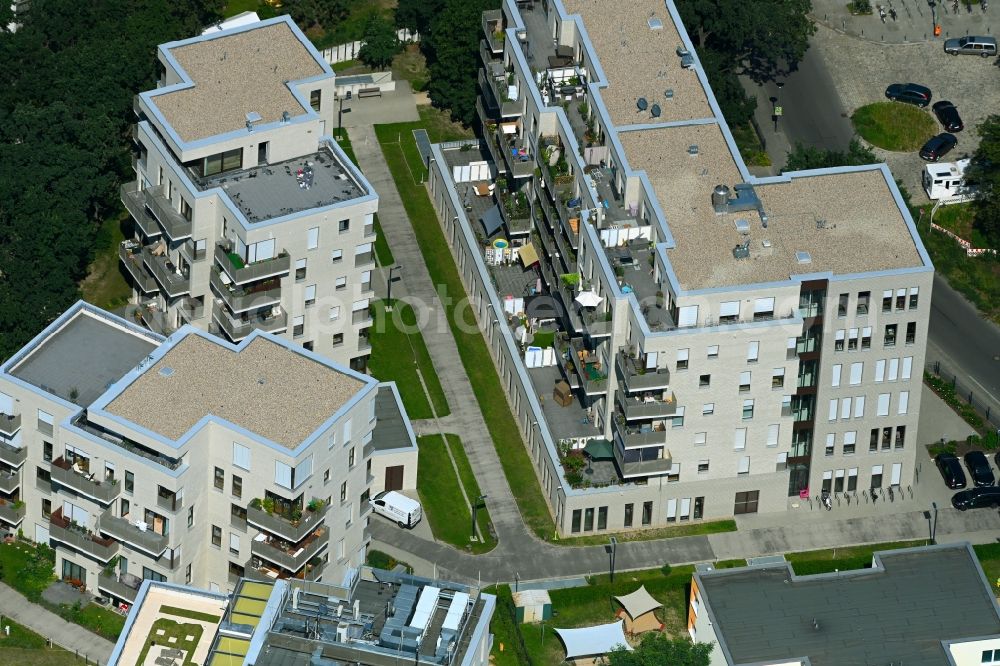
862 67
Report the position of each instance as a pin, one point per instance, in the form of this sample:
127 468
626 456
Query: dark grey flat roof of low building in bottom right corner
898 613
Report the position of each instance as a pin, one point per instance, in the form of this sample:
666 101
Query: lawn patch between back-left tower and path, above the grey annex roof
398 349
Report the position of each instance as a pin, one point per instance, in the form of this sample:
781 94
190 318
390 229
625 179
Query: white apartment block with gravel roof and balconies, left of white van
191 459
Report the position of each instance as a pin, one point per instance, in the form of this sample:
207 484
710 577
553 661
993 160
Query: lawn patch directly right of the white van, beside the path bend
445 508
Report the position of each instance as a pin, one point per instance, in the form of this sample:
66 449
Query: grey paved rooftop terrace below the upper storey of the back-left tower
266 192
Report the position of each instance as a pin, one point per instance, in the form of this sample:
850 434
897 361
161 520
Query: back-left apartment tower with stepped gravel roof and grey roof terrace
246 213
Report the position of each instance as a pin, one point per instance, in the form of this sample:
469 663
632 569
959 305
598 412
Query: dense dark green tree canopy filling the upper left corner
66 89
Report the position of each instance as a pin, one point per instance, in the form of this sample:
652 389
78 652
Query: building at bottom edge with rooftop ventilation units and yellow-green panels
377 618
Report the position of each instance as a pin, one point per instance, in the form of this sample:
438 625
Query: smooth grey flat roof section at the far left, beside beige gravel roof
83 356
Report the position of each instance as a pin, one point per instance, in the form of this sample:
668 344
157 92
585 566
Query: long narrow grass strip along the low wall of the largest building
401 155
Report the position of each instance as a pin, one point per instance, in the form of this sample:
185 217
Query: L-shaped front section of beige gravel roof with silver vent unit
847 222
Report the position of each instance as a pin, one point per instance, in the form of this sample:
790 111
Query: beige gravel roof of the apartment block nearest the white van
265 387
